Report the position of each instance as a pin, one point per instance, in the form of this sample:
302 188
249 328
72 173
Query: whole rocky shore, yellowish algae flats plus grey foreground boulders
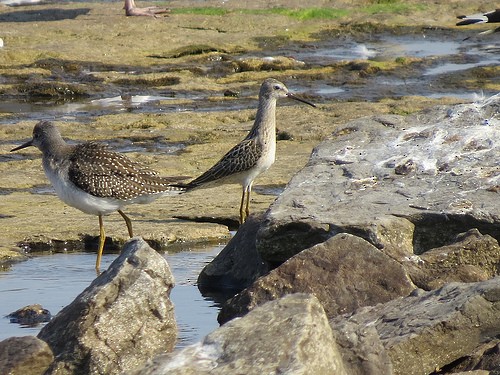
380 256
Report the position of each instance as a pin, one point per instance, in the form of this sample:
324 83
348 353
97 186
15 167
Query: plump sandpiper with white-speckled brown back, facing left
94 179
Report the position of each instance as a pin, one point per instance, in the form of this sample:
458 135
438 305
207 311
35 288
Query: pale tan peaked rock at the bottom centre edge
250 346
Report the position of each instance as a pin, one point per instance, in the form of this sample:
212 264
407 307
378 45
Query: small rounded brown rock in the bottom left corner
24 356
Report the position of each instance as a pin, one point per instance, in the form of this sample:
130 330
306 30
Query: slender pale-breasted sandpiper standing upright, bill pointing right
254 154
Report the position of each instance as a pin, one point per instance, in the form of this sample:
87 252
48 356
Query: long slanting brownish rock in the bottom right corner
424 332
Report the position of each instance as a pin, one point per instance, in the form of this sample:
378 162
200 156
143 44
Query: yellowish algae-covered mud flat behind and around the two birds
61 53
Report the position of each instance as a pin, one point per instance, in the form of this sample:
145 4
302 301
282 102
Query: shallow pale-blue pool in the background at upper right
448 54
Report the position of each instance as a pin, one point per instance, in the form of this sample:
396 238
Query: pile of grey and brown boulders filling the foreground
352 294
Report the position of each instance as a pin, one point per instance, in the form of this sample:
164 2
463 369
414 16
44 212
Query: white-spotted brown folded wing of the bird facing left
104 173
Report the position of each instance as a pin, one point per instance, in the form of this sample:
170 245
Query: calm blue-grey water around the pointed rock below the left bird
55 280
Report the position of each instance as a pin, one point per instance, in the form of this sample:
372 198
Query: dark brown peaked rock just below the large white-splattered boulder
344 273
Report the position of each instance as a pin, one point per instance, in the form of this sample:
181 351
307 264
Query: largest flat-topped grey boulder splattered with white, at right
405 184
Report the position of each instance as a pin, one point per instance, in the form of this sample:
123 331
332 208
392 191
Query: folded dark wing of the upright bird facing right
240 158
